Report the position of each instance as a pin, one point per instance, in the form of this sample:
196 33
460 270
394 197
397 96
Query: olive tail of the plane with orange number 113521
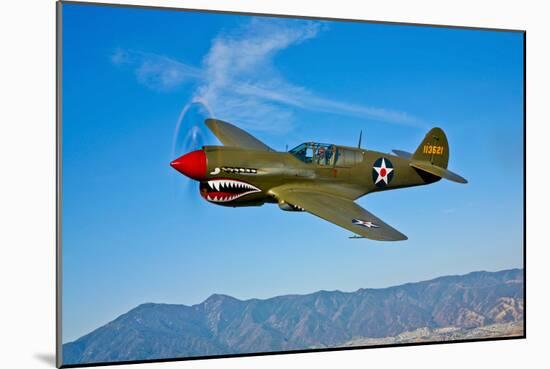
432 156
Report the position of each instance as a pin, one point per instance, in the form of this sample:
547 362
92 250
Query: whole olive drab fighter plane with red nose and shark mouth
321 179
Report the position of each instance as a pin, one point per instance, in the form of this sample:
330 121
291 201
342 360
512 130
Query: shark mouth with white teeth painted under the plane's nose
225 190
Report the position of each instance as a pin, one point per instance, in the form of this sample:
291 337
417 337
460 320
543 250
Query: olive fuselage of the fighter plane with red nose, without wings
232 176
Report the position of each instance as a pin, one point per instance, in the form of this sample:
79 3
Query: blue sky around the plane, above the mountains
136 231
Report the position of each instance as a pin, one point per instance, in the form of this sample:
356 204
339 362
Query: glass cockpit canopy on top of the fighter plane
326 154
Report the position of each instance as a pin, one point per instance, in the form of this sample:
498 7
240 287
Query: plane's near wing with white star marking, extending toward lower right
340 211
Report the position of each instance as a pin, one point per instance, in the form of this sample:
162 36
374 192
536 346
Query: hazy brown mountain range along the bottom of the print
223 325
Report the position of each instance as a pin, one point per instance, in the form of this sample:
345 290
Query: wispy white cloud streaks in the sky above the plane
238 81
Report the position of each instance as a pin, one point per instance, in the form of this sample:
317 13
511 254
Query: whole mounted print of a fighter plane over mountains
238 184
